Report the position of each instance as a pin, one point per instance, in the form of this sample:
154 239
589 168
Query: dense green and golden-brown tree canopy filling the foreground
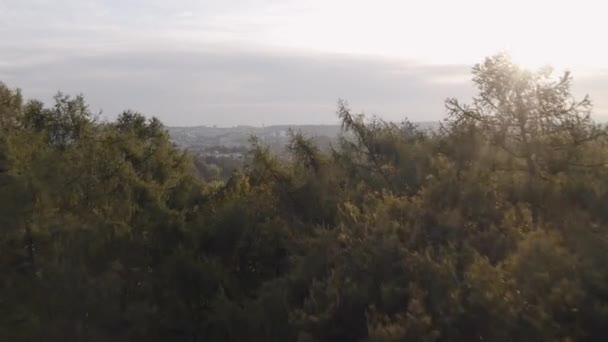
493 228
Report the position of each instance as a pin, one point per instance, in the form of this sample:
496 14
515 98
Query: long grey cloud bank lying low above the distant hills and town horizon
222 86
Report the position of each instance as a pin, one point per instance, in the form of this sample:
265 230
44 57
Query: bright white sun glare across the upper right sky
536 33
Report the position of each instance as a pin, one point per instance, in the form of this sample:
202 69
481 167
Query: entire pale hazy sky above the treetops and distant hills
264 62
